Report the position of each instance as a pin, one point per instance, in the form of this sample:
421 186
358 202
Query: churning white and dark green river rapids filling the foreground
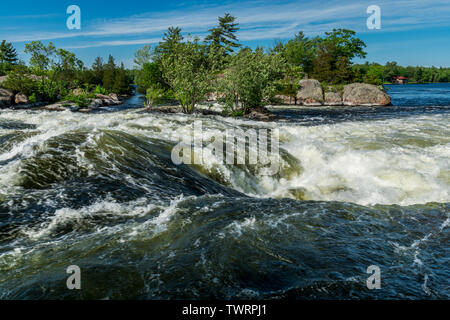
357 187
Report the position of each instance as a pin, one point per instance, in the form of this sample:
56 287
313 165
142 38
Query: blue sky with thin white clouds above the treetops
413 32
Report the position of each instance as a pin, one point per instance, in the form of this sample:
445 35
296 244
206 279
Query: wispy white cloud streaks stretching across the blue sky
258 20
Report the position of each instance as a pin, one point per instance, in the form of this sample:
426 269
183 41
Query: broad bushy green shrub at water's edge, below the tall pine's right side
250 79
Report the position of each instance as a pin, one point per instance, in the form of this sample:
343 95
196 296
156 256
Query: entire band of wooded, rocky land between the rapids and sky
186 71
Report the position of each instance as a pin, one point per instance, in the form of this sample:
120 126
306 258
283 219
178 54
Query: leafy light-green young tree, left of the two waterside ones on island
186 72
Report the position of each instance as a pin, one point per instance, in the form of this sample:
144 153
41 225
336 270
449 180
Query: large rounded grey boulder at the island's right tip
363 94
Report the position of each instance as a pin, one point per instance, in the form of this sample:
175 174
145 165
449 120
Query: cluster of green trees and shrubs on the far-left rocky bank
52 74
